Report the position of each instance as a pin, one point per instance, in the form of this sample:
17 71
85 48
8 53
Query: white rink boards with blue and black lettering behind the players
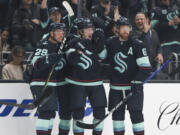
161 111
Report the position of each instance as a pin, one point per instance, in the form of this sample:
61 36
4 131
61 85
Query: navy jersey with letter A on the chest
128 61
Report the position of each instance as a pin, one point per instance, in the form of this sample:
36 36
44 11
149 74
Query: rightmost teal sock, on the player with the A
138 128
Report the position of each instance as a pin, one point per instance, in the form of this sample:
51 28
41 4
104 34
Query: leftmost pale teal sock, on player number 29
42 127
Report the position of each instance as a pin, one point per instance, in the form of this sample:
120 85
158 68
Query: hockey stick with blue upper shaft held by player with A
92 126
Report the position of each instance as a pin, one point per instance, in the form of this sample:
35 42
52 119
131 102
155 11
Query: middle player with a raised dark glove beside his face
84 77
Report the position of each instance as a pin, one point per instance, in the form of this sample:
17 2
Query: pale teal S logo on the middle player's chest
87 62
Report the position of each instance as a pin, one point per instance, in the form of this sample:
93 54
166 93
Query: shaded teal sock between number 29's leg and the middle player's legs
64 127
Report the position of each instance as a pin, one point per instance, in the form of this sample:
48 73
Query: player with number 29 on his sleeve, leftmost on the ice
44 57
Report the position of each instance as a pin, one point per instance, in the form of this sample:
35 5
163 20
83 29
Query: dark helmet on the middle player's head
84 23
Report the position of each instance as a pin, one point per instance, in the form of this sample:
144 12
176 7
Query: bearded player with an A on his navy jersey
129 68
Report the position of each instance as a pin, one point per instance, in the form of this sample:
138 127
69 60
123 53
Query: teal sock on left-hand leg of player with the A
118 127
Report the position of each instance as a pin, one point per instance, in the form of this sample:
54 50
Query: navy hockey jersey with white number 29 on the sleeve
45 56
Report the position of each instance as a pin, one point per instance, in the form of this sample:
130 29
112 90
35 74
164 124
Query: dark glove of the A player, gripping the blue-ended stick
136 87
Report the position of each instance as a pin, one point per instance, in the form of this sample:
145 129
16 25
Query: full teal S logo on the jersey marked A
122 66
